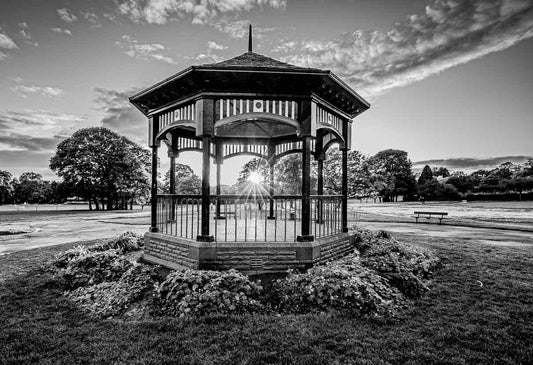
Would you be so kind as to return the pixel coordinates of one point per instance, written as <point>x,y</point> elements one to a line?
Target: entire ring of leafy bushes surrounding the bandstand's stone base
<point>377,279</point>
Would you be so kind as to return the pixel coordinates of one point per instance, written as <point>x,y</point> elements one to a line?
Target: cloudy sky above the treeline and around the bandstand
<point>449,81</point>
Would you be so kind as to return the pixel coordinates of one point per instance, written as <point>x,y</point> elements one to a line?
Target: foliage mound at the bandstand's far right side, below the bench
<point>405,266</point>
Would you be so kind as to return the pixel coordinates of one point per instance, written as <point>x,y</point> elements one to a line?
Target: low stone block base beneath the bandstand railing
<point>247,257</point>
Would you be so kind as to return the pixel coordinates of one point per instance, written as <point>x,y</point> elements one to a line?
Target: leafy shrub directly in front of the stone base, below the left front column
<point>198,292</point>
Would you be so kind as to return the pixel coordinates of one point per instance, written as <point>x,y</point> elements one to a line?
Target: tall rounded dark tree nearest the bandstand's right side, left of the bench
<point>391,173</point>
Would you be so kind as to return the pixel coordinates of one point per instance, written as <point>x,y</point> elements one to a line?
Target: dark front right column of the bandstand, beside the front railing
<point>306,191</point>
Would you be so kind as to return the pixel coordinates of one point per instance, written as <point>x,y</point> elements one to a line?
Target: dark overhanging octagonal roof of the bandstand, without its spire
<point>250,73</point>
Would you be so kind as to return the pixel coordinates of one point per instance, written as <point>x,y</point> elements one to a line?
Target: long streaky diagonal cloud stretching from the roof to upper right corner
<point>450,33</point>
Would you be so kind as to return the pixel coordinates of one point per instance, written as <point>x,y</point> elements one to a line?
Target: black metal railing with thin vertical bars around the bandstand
<point>250,218</point>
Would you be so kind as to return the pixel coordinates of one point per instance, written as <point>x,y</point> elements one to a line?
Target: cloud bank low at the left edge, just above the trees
<point>35,130</point>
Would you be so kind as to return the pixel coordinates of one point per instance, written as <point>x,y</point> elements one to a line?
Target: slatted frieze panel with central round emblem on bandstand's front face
<point>228,107</point>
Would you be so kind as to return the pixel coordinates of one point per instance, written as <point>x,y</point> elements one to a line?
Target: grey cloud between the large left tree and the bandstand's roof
<point>120,115</point>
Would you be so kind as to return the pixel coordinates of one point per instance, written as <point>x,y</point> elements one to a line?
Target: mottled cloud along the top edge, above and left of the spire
<point>201,12</point>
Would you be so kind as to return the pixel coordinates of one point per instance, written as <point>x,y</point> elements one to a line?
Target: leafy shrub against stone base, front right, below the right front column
<point>344,286</point>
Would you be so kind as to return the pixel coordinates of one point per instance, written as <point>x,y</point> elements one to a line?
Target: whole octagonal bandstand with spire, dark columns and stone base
<point>249,105</point>
